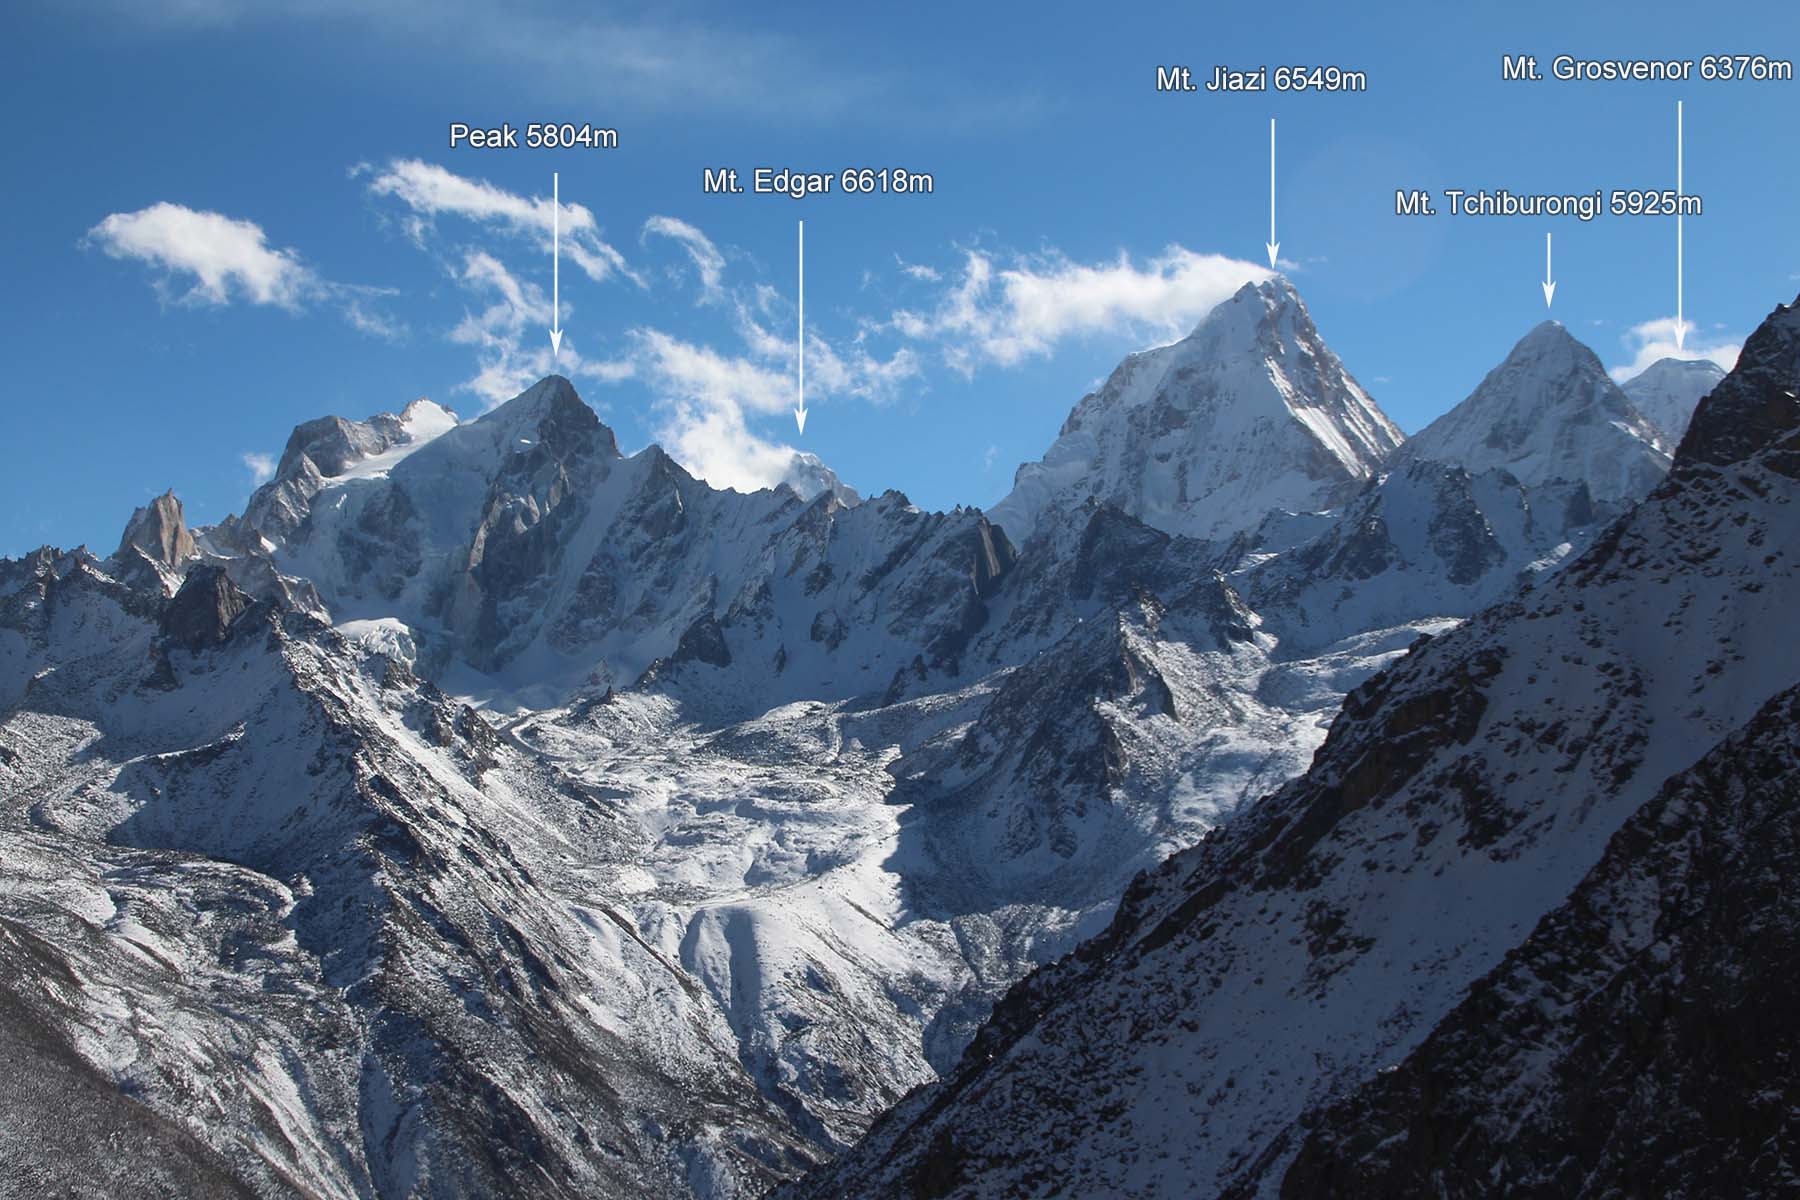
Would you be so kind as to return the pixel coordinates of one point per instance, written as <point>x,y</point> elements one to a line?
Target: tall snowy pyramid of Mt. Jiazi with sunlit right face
<point>1246,416</point>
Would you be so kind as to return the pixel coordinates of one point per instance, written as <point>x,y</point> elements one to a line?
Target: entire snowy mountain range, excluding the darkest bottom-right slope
<point>489,812</point>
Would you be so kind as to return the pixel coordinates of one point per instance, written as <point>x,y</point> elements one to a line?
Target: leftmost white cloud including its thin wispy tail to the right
<point>213,260</point>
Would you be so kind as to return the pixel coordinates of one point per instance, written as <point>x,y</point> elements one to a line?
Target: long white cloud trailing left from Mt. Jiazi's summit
<point>1009,314</point>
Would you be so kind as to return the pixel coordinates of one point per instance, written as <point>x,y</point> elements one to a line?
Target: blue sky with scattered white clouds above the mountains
<point>222,222</point>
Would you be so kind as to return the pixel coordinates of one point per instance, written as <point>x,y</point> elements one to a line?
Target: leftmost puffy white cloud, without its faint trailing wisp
<point>226,258</point>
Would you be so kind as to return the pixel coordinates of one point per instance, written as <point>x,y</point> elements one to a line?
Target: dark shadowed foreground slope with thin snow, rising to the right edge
<point>1522,929</point>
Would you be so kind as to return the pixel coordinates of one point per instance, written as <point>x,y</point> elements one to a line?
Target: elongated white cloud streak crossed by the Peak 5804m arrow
<point>431,192</point>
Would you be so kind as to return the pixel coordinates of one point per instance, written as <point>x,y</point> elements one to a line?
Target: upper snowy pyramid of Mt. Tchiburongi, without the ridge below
<point>1547,413</point>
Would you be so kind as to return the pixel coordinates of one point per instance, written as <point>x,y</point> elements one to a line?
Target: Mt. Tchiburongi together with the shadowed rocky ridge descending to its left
<point>1504,487</point>
